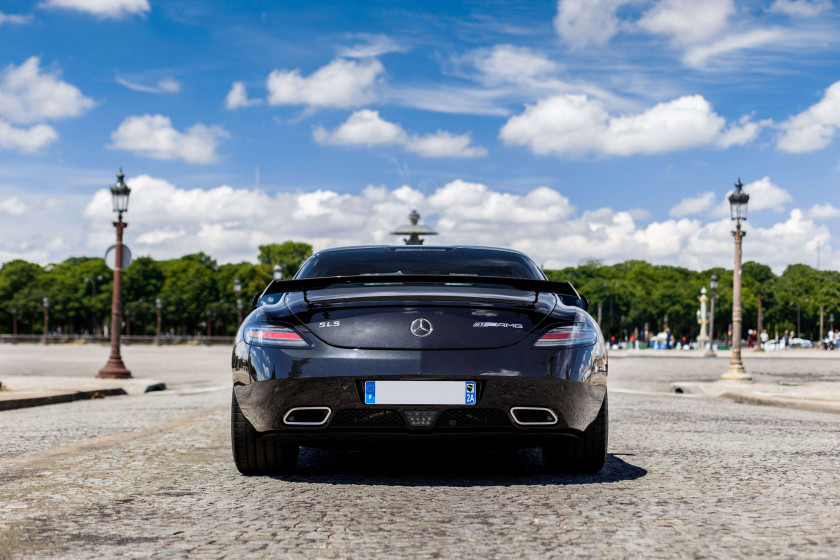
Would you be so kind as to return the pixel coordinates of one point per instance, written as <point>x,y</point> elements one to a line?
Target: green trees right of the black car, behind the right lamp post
<point>634,294</point>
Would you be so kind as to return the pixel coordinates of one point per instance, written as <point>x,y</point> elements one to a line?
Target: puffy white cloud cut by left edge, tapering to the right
<point>29,95</point>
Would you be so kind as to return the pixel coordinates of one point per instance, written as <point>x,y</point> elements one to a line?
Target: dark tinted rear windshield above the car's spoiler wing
<point>398,260</point>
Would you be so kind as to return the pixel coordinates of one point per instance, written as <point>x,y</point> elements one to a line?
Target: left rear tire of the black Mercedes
<point>254,454</point>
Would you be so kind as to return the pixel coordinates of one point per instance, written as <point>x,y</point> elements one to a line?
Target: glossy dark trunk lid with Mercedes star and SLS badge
<point>426,317</point>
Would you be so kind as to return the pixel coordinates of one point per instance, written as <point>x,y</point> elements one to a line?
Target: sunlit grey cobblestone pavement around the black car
<point>151,477</point>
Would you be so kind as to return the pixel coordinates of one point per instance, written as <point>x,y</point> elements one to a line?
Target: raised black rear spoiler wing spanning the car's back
<point>565,290</point>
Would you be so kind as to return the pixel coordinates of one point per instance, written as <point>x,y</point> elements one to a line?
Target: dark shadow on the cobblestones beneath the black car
<point>437,467</point>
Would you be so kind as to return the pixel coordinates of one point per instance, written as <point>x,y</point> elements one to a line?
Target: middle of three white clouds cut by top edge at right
<point>688,21</point>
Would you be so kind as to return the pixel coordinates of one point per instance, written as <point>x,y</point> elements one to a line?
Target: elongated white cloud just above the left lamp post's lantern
<point>154,136</point>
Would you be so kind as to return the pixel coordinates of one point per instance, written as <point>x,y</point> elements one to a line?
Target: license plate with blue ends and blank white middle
<point>420,392</point>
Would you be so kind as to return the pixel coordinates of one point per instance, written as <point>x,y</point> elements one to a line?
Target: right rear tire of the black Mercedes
<point>583,455</point>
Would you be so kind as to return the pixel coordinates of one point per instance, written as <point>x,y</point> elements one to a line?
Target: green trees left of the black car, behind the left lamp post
<point>194,290</point>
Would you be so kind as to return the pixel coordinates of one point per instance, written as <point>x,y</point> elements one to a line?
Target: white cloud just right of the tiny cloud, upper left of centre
<point>342,84</point>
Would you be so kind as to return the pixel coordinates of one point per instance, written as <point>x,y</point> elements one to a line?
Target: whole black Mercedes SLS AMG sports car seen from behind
<point>385,345</point>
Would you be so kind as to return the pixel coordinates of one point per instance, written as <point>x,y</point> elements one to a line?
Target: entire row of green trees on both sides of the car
<point>195,290</point>
